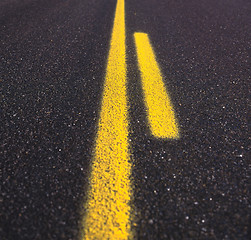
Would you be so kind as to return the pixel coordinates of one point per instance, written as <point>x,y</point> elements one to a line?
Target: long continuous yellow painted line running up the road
<point>108,209</point>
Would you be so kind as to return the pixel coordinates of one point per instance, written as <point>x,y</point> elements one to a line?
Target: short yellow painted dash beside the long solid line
<point>160,112</point>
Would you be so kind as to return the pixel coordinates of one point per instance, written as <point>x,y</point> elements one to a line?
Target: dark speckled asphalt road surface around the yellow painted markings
<point>53,56</point>
